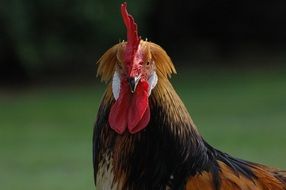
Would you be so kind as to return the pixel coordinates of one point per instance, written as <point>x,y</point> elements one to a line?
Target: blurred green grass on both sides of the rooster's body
<point>45,133</point>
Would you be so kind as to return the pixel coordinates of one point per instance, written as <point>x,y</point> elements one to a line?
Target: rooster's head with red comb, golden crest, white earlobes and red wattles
<point>133,67</point>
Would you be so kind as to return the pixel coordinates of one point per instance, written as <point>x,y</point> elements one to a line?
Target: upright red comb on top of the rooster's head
<point>132,34</point>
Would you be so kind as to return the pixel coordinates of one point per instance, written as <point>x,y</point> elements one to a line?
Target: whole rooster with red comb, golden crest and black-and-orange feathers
<point>144,137</point>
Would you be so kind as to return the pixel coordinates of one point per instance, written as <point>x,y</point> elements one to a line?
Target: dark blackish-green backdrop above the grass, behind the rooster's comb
<point>45,40</point>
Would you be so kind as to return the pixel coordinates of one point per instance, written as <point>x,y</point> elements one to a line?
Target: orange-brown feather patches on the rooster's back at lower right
<point>266,179</point>
